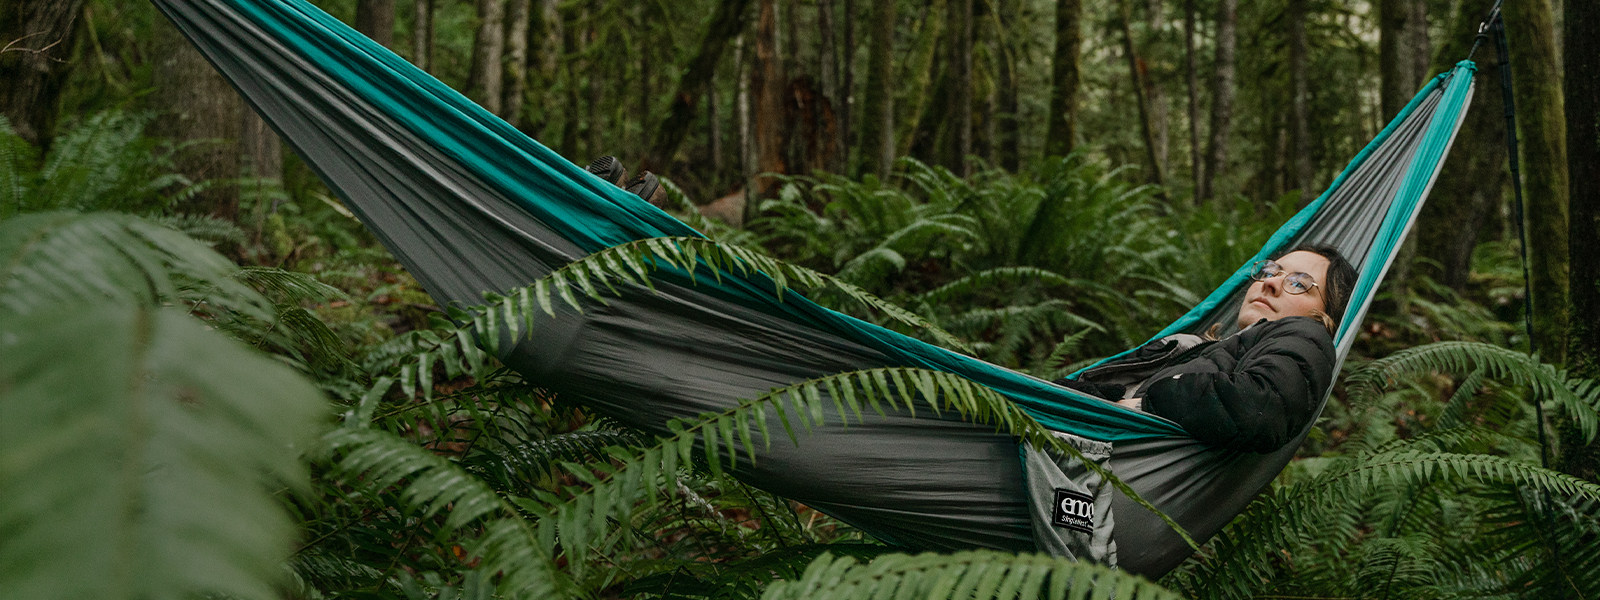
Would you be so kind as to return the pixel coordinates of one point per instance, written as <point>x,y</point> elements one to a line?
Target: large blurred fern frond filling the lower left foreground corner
<point>135,447</point>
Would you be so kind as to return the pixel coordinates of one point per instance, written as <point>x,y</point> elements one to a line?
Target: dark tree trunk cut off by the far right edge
<point>1582,63</point>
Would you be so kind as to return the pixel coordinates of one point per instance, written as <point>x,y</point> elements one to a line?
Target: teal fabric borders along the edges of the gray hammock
<point>596,215</point>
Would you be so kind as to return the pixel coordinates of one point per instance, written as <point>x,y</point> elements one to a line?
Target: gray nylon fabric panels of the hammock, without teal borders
<point>652,356</point>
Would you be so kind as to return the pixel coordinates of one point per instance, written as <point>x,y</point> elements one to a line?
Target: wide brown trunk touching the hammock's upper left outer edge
<point>198,106</point>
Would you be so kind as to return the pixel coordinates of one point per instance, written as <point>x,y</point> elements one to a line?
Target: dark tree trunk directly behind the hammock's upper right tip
<point>1470,185</point>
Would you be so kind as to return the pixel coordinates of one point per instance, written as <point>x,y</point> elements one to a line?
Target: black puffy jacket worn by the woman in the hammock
<point>1252,391</point>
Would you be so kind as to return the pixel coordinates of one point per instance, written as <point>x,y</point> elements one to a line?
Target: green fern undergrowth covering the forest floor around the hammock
<point>271,407</point>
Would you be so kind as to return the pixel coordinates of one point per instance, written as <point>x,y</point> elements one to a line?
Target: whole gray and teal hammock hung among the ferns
<point>471,206</point>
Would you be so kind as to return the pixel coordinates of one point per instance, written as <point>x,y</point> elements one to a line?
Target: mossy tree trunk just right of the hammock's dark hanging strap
<point>1542,127</point>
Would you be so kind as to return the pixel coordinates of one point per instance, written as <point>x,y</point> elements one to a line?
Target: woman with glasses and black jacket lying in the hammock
<point>1258,388</point>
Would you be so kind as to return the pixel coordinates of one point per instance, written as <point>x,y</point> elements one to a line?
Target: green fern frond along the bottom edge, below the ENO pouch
<point>964,575</point>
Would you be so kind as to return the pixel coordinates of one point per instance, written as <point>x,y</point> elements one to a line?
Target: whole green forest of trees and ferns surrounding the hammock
<point>1047,182</point>
